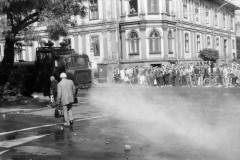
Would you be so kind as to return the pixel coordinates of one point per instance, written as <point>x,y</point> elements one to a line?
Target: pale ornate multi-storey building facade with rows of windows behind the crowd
<point>149,32</point>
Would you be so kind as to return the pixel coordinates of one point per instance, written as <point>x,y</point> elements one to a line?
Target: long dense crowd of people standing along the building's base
<point>184,74</point>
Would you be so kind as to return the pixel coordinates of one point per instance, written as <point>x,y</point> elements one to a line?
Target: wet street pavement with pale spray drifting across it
<point>119,122</point>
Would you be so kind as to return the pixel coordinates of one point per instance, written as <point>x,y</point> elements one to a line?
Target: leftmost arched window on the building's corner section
<point>133,43</point>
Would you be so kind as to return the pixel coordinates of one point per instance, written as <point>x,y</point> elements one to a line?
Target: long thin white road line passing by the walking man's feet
<point>31,128</point>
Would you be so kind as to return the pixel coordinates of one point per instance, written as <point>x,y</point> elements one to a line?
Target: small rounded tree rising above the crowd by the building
<point>209,54</point>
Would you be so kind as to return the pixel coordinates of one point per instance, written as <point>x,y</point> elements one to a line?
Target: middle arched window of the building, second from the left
<point>154,42</point>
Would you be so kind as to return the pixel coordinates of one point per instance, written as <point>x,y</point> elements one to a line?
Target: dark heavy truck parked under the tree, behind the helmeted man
<point>52,61</point>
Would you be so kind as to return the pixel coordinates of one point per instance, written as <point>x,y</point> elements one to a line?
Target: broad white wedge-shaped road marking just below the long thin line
<point>16,142</point>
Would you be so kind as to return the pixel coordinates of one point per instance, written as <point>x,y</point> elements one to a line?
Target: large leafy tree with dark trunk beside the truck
<point>20,15</point>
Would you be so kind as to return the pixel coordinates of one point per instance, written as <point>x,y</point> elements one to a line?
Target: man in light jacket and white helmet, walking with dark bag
<point>66,91</point>
